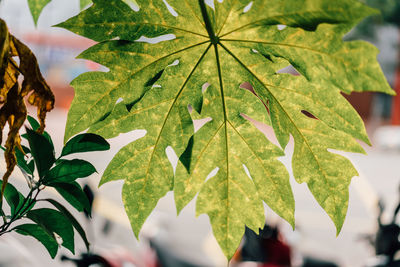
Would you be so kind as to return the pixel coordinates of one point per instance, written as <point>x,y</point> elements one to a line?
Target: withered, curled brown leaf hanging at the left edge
<point>13,110</point>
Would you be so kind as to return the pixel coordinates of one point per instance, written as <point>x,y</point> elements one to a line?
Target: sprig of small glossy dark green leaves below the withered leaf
<point>61,174</point>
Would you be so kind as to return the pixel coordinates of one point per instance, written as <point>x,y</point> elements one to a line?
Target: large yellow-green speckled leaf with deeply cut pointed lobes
<point>198,71</point>
